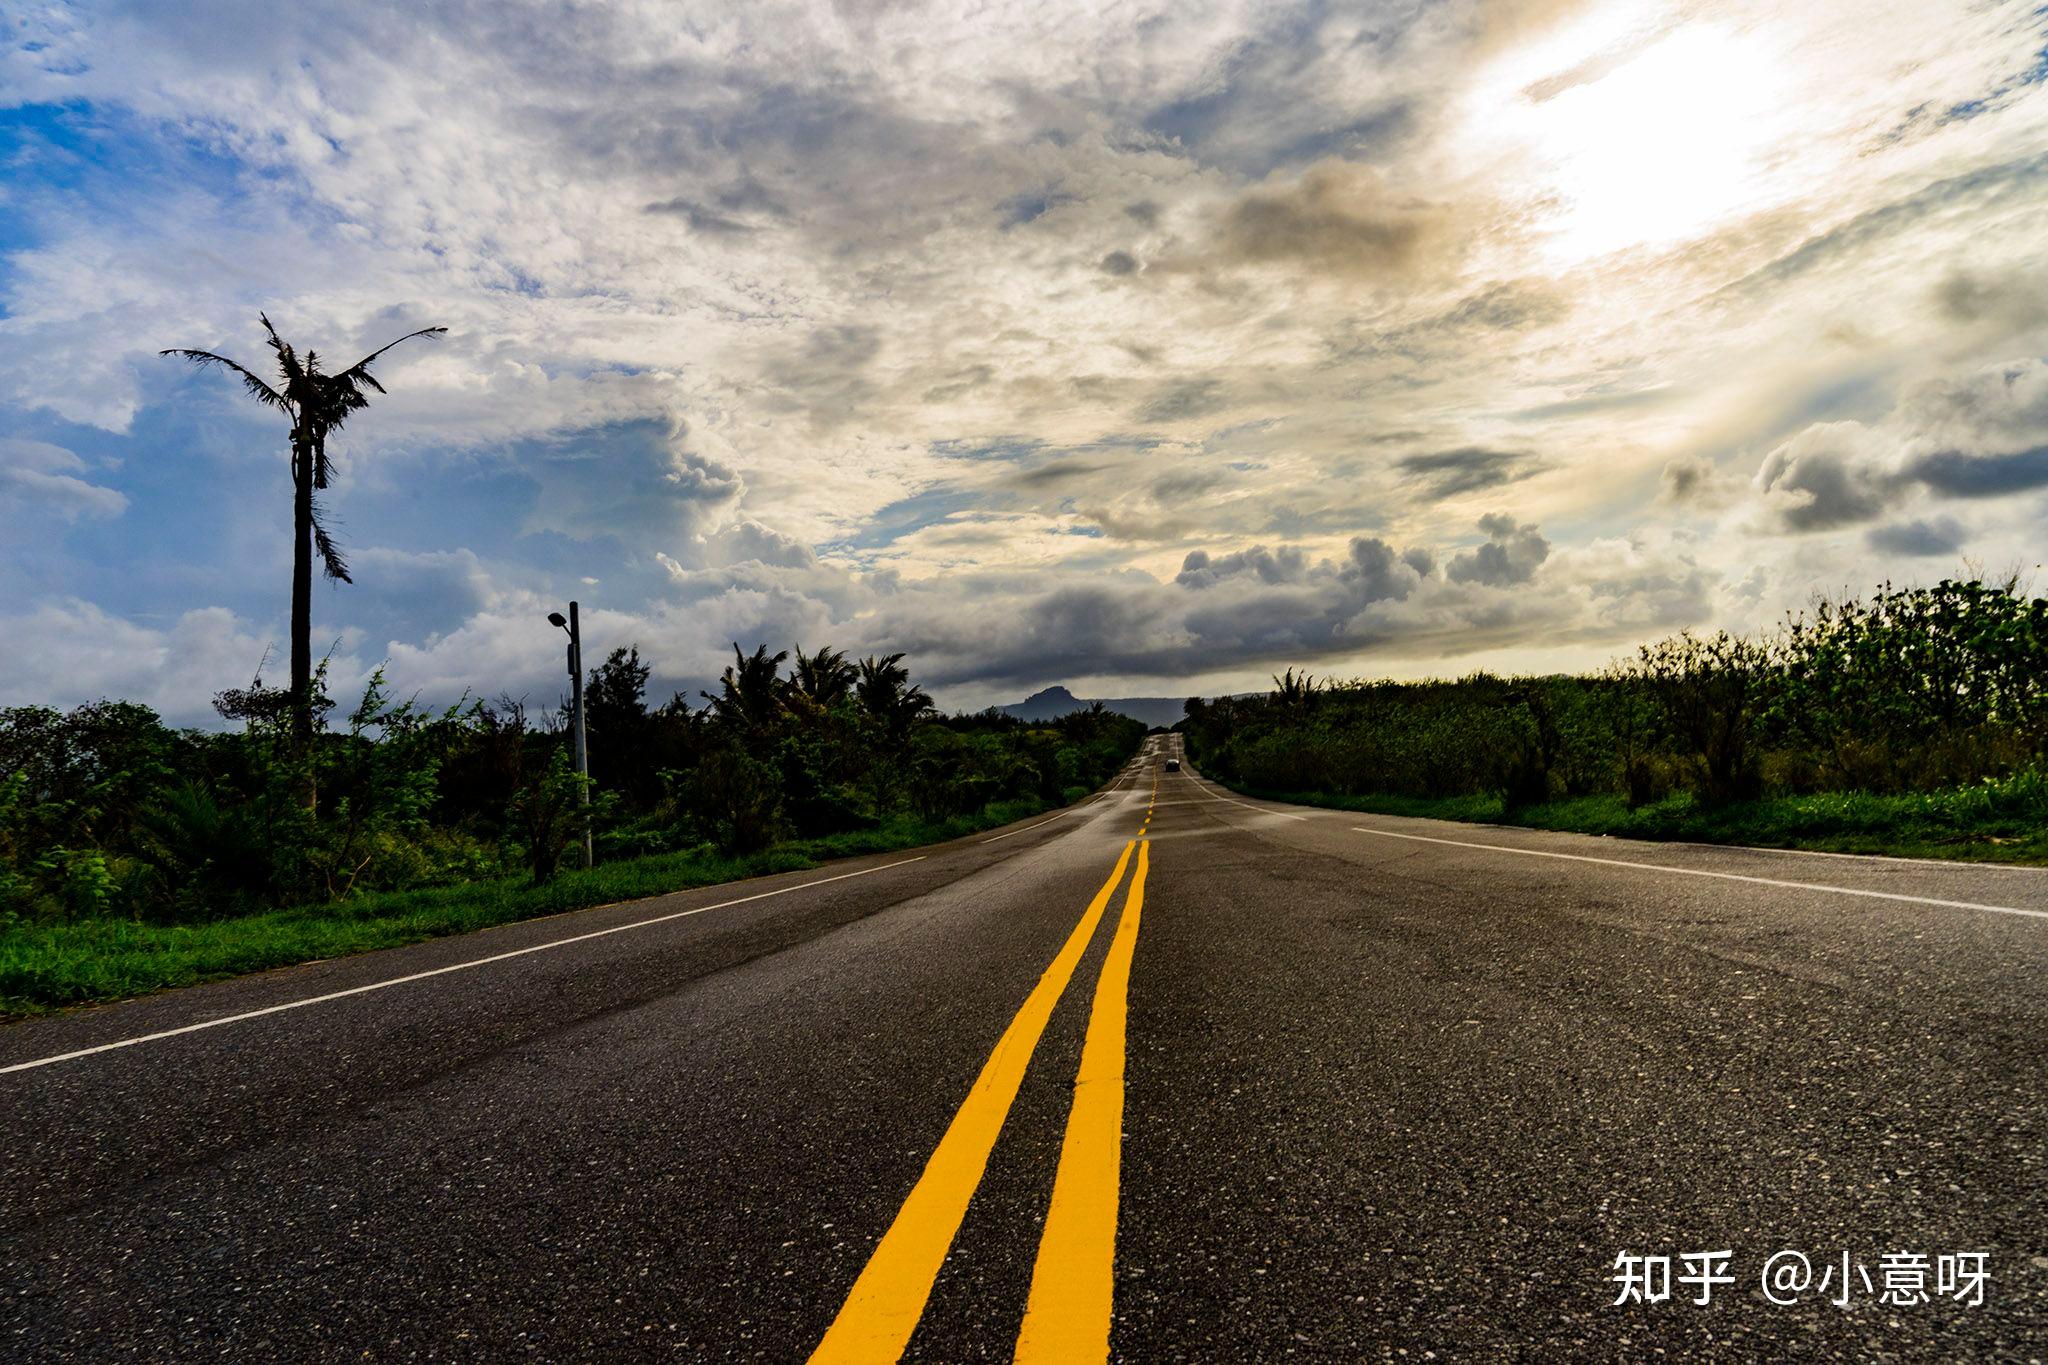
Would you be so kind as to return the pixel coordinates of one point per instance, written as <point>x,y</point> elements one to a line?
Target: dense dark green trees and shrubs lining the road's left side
<point>108,811</point>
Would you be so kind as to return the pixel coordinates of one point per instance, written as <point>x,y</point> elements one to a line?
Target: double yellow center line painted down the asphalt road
<point>1068,1315</point>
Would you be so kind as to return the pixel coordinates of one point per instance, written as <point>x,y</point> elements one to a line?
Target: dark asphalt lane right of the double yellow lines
<point>1471,1080</point>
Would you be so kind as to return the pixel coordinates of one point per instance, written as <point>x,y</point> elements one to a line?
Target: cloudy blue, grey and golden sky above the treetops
<point>1144,347</point>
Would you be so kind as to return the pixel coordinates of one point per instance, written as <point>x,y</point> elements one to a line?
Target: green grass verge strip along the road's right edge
<point>1996,822</point>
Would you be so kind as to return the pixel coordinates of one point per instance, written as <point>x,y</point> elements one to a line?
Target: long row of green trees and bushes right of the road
<point>1906,691</point>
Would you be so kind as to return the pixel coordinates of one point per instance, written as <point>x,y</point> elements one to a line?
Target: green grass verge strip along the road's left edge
<point>50,967</point>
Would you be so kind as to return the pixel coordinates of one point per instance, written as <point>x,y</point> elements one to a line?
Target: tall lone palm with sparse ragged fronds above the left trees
<point>316,406</point>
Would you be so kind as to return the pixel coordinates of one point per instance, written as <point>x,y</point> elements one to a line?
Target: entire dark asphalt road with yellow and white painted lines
<point>1170,1077</point>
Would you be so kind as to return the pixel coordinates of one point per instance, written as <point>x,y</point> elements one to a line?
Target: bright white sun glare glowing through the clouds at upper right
<point>1658,148</point>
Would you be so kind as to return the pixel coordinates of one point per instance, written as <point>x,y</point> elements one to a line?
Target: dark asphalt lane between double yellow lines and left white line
<point>699,1129</point>
